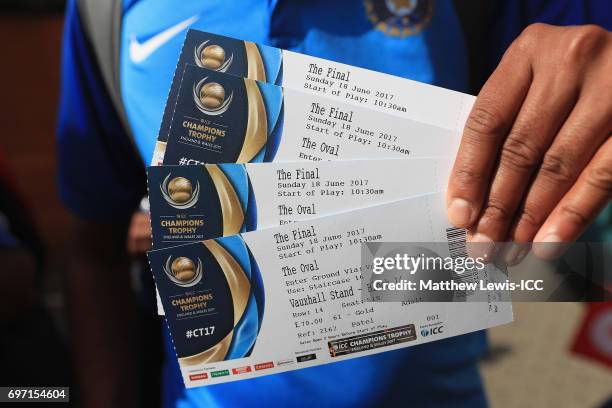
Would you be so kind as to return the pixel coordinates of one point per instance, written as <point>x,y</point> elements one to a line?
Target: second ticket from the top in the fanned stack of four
<point>220,118</point>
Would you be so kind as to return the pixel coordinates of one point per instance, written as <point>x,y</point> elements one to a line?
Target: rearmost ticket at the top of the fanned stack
<point>345,83</point>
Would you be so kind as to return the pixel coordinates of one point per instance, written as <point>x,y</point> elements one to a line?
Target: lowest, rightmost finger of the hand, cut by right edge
<point>580,206</point>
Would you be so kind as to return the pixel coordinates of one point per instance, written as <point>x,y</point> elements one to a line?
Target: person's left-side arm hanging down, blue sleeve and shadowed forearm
<point>101,181</point>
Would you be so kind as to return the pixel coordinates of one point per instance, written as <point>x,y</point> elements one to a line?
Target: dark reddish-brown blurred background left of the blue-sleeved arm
<point>33,349</point>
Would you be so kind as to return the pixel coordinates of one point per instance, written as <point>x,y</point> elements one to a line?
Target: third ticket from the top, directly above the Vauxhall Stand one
<point>193,203</point>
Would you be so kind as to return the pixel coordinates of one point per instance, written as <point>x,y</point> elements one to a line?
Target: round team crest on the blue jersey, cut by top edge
<point>399,18</point>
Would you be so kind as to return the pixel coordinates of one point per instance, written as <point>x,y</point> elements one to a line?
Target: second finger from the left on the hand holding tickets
<point>544,110</point>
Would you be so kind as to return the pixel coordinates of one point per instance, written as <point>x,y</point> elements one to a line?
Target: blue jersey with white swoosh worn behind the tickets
<point>102,169</point>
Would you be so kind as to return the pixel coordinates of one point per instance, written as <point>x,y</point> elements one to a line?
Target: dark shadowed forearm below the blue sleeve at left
<point>101,313</point>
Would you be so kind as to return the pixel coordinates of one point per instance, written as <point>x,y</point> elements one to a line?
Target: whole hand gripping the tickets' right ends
<point>535,160</point>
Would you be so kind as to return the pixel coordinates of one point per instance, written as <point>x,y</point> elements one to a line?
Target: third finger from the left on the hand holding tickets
<point>582,134</point>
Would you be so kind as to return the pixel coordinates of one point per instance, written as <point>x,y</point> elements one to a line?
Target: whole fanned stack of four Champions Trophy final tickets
<point>274,174</point>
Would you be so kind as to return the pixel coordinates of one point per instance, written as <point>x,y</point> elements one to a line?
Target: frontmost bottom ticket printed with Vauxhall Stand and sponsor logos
<point>291,296</point>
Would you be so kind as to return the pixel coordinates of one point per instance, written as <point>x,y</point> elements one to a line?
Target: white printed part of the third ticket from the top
<point>290,192</point>
